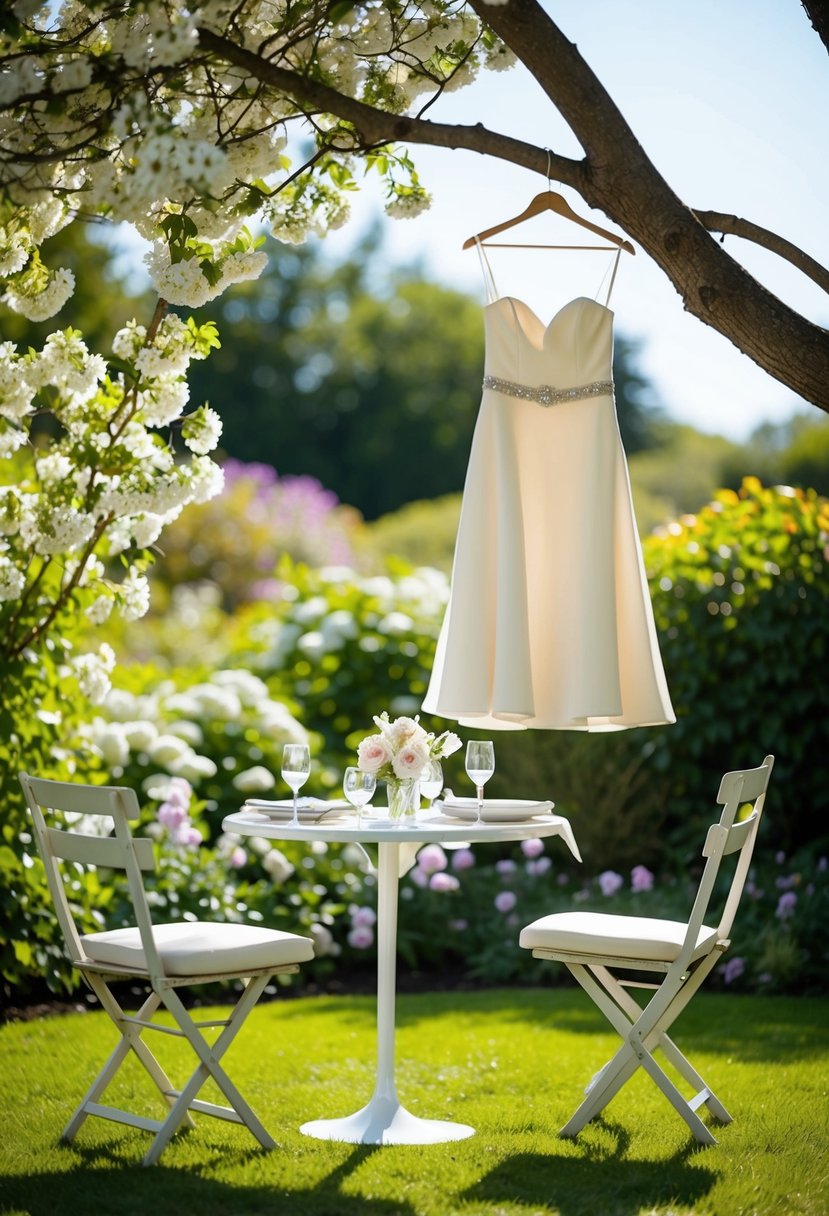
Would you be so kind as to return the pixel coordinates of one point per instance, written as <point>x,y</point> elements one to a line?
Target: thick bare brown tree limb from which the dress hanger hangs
<point>616,177</point>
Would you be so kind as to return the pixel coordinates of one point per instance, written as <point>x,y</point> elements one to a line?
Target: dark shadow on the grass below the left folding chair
<point>129,1190</point>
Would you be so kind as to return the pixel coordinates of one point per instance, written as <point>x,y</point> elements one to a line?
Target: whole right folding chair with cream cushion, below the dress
<point>594,945</point>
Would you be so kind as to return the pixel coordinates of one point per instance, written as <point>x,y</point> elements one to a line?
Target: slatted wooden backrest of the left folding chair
<point>66,817</point>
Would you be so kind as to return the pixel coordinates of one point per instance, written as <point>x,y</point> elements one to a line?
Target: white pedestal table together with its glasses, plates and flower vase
<point>408,759</point>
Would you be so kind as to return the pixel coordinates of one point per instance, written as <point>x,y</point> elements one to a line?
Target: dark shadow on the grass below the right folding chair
<point>601,1180</point>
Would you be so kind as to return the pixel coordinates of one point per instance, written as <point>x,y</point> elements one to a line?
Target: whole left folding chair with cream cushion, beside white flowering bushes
<point>166,958</point>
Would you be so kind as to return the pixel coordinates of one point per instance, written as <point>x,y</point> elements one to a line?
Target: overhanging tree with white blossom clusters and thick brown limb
<point>176,116</point>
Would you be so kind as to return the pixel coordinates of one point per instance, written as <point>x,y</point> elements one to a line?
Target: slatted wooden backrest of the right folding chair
<point>746,787</point>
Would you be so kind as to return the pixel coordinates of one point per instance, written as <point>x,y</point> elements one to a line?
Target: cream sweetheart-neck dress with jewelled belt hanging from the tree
<point>550,623</point>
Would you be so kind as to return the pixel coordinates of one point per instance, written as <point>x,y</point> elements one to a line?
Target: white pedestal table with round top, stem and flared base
<point>385,1121</point>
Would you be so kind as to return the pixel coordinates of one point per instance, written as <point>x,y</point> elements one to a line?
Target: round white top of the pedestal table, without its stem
<point>375,827</point>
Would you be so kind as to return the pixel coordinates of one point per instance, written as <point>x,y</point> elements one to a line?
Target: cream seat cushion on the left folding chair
<point>200,948</point>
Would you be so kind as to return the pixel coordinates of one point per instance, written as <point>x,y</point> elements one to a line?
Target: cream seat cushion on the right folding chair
<point>618,937</point>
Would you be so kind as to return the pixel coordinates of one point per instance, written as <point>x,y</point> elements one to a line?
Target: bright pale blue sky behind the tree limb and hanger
<point>729,99</point>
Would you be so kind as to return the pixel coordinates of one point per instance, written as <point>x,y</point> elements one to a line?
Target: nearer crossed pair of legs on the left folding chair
<point>210,1066</point>
